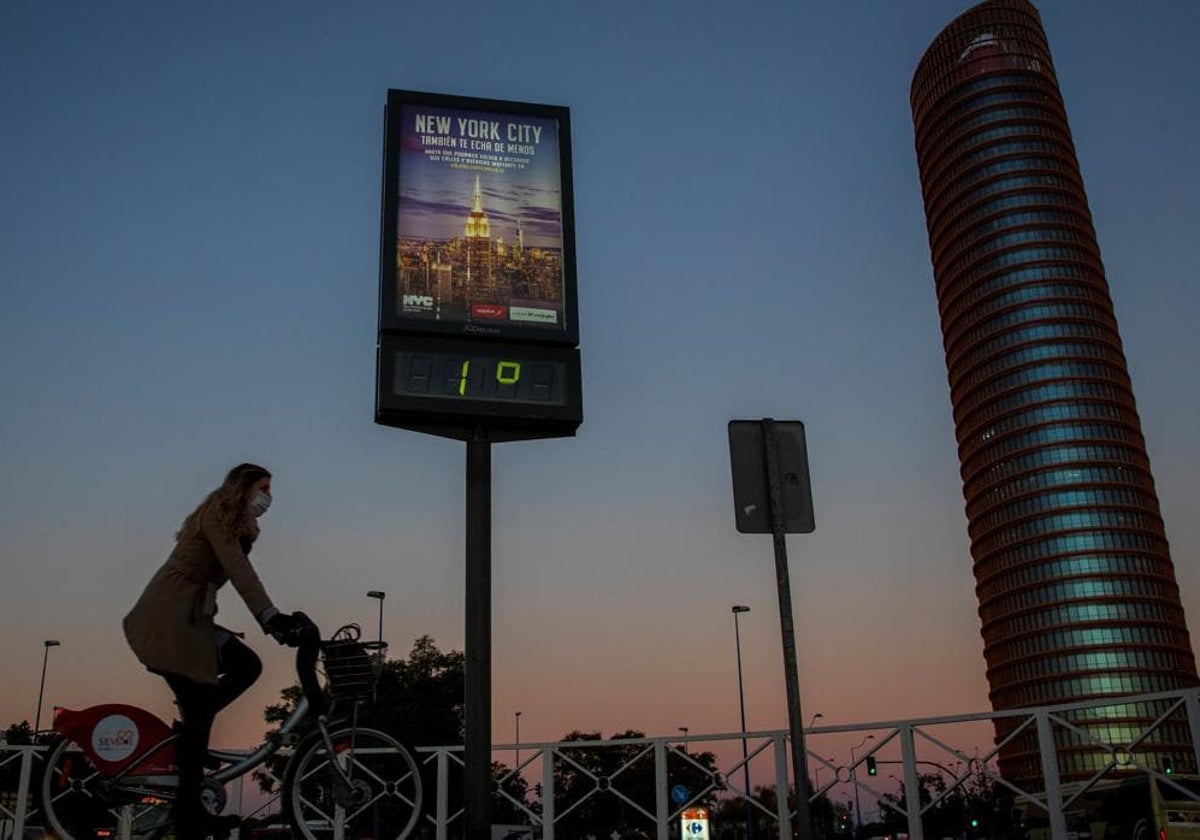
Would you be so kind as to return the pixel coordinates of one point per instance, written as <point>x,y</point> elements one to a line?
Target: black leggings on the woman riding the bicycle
<point>199,706</point>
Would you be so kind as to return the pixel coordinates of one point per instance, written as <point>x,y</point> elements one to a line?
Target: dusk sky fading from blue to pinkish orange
<point>189,229</point>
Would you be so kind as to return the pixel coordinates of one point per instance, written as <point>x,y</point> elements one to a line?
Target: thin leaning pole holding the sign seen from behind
<point>795,718</point>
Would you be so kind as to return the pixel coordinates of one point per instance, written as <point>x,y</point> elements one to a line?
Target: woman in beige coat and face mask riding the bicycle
<point>173,633</point>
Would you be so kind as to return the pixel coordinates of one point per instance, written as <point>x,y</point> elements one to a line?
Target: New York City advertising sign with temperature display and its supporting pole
<point>478,321</point>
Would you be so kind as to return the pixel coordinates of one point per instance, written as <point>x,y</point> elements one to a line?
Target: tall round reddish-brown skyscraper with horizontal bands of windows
<point>1077,591</point>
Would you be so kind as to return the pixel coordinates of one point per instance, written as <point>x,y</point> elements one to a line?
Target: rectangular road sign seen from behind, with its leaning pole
<point>771,465</point>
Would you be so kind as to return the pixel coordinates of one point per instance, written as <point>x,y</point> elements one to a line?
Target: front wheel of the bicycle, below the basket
<point>369,788</point>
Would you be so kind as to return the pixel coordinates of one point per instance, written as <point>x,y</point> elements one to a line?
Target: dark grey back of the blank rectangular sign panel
<point>752,491</point>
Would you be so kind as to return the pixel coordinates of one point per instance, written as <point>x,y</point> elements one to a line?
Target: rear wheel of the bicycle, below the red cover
<point>80,802</point>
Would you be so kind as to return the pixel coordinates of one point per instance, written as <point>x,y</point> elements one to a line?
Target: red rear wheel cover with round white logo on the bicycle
<point>115,735</point>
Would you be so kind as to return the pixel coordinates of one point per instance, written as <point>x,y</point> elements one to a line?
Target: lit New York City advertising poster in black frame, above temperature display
<point>478,212</point>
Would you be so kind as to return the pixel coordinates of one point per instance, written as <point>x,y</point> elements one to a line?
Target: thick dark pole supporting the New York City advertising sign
<point>478,649</point>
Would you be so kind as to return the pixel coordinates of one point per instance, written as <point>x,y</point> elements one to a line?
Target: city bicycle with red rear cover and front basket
<point>115,767</point>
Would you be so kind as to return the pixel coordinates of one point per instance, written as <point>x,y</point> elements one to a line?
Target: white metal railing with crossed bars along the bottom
<point>909,745</point>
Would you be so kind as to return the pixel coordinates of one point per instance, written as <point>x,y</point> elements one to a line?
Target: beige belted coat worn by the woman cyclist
<point>171,628</point>
